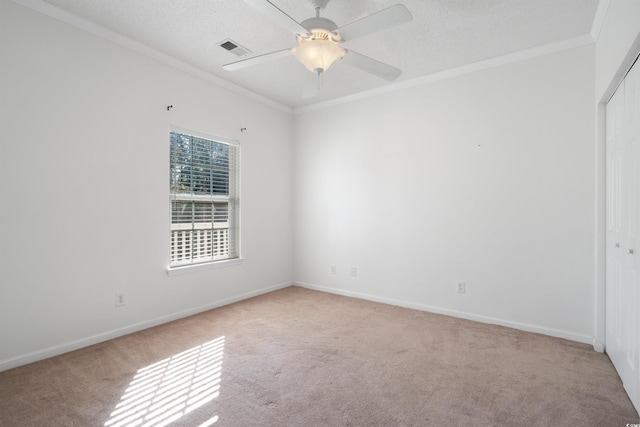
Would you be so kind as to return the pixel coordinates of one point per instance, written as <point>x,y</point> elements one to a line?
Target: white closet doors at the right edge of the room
<point>623,228</point>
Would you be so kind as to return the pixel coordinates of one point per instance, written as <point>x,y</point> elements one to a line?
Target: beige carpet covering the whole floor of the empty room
<point>296,357</point>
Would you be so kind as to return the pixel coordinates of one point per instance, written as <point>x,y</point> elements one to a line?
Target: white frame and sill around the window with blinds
<point>233,198</point>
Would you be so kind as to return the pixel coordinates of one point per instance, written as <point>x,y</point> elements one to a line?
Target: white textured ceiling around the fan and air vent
<point>443,34</point>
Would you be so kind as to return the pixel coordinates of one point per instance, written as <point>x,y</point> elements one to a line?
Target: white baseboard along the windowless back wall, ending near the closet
<point>469,316</point>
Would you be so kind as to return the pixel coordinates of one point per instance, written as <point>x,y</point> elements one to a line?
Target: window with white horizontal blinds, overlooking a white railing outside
<point>204,199</point>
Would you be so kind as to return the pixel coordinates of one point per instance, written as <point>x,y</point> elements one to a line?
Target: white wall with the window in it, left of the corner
<point>84,183</point>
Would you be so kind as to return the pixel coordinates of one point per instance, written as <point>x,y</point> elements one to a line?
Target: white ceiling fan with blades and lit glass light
<point>318,39</point>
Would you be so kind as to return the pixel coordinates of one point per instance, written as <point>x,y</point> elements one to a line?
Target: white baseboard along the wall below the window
<point>95,339</point>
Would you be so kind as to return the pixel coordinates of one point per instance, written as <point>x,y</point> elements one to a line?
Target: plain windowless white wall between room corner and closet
<point>487,178</point>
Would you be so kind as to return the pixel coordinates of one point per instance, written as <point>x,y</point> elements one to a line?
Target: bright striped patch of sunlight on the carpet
<point>164,392</point>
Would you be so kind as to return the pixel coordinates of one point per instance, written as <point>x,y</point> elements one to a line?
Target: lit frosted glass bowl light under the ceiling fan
<point>318,52</point>
